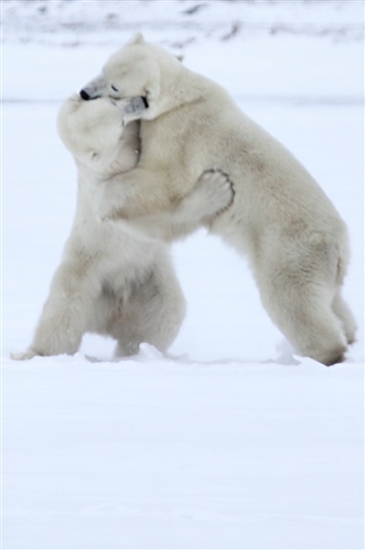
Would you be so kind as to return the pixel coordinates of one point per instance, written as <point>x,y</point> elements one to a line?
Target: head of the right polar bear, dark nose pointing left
<point>138,70</point>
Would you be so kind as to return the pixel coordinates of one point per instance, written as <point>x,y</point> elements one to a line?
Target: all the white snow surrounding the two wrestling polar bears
<point>228,441</point>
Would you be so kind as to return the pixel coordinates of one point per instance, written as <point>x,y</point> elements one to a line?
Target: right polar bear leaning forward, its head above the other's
<point>295,240</point>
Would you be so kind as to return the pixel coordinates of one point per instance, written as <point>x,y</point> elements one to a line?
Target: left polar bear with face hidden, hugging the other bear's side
<point>114,280</point>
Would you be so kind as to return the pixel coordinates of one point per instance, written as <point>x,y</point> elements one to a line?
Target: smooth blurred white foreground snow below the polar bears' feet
<point>163,454</point>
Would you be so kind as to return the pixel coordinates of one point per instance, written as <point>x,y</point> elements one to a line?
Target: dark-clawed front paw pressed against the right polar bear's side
<point>217,192</point>
